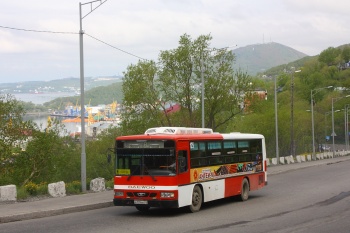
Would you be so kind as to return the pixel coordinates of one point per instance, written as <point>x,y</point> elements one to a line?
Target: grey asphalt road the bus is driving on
<point>313,199</point>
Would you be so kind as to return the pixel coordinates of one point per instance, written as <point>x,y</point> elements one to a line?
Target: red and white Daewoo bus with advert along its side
<point>172,167</point>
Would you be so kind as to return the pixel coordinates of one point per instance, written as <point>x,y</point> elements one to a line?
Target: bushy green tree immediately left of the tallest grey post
<point>46,157</point>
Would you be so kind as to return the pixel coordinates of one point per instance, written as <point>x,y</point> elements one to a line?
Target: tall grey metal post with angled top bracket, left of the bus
<point>82,105</point>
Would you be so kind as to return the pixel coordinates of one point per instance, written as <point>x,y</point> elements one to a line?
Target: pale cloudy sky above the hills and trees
<point>39,39</point>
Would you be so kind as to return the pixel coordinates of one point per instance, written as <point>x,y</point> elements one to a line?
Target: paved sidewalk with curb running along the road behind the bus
<point>17,211</point>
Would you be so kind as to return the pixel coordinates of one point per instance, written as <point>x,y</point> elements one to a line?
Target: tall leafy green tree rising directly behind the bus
<point>150,89</point>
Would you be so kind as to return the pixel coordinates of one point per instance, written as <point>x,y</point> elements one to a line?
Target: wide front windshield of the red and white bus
<point>145,161</point>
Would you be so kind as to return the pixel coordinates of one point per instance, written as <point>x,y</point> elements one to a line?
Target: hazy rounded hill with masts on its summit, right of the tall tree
<point>258,58</point>
